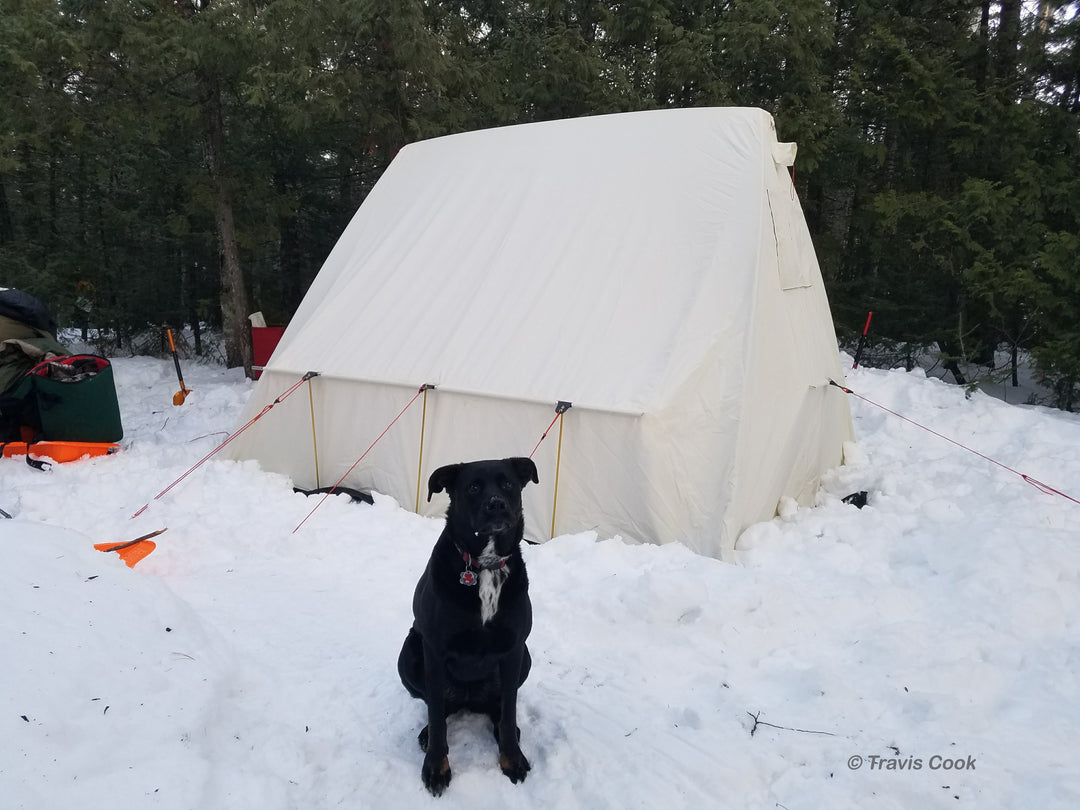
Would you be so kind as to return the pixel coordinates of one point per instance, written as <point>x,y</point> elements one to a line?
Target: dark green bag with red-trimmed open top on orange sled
<point>73,399</point>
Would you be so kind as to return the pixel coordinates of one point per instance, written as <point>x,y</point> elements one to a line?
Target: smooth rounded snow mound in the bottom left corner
<point>113,690</point>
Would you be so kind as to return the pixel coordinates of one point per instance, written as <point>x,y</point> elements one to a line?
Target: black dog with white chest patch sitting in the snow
<point>472,614</point>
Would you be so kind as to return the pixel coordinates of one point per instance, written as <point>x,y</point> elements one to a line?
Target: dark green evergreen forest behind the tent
<point>192,161</point>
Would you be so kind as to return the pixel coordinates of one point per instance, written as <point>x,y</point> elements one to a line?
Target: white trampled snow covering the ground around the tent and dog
<point>244,666</point>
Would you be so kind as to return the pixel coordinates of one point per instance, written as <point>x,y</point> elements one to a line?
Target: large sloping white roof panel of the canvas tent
<point>597,261</point>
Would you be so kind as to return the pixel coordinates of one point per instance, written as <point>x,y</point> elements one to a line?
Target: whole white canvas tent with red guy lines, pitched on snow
<point>652,268</point>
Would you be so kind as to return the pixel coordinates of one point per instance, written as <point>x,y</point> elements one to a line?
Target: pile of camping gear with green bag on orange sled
<point>52,403</point>
